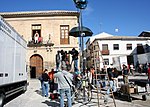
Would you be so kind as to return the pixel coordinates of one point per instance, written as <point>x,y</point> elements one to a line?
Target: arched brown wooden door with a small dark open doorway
<point>36,66</point>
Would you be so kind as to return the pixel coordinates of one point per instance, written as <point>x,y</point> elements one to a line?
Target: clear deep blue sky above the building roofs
<point>129,17</point>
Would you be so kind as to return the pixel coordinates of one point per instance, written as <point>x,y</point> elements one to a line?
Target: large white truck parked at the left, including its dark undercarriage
<point>13,75</point>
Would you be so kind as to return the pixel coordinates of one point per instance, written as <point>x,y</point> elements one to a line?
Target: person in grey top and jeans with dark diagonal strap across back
<point>64,85</point>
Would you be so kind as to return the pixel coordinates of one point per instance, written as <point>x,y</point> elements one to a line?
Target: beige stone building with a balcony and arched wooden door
<point>52,28</point>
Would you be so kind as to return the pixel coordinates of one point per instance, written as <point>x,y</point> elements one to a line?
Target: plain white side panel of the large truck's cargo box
<point>12,67</point>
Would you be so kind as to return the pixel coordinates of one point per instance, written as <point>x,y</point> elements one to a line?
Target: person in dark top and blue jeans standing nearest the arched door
<point>45,84</point>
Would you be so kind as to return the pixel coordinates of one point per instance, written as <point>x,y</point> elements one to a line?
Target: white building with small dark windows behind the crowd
<point>118,50</point>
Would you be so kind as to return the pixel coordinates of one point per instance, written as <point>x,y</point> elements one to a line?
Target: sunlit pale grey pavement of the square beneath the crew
<point>33,98</point>
